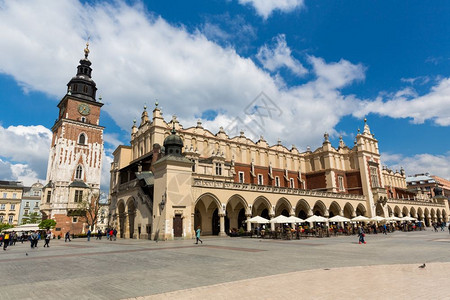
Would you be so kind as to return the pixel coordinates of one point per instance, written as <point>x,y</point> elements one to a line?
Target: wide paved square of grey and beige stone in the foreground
<point>229,268</point>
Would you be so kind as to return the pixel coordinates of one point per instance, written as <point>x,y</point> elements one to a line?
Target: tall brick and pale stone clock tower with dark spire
<point>75,159</point>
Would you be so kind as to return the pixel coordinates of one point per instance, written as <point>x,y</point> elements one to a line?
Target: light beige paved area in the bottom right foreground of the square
<point>371,282</point>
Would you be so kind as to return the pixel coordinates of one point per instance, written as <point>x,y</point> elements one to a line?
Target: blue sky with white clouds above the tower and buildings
<point>325,64</point>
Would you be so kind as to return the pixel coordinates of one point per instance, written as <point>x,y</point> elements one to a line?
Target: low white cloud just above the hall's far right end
<point>420,163</point>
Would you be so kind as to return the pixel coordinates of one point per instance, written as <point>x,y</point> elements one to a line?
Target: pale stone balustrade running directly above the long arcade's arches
<point>271,189</point>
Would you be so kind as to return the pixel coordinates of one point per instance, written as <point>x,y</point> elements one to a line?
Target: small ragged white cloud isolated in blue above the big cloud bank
<point>279,56</point>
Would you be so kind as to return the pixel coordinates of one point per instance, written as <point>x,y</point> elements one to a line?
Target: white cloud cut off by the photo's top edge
<point>264,8</point>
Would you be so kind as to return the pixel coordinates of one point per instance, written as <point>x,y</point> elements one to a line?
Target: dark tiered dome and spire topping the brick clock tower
<point>82,85</point>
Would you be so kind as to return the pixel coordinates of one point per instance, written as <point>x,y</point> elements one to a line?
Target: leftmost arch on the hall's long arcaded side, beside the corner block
<point>207,213</point>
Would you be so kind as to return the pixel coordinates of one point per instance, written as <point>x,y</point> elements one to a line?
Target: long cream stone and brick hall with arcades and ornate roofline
<point>172,180</point>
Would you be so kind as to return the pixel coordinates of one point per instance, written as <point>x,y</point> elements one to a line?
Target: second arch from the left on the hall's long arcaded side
<point>236,211</point>
